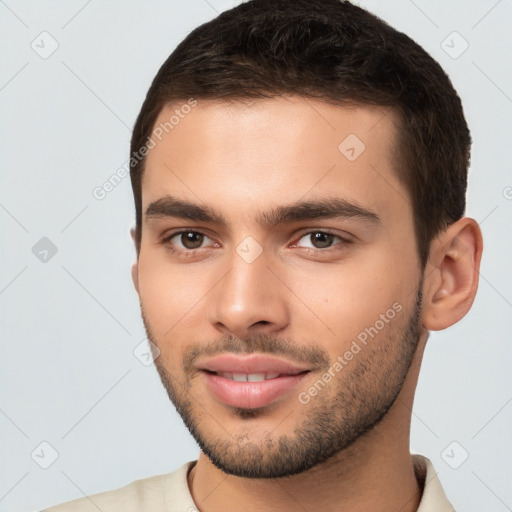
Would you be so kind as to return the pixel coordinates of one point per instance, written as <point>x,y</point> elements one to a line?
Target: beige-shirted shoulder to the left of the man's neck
<point>167,492</point>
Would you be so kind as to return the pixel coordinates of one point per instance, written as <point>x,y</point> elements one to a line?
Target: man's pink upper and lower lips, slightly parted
<point>250,395</point>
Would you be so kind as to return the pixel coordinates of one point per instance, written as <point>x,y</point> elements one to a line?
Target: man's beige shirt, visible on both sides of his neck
<point>170,493</point>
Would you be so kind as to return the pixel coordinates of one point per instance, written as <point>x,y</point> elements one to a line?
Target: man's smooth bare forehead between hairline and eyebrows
<point>232,155</point>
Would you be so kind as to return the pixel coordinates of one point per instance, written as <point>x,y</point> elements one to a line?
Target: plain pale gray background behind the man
<point>70,324</point>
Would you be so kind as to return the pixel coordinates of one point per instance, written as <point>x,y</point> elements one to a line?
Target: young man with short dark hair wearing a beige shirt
<point>299,171</point>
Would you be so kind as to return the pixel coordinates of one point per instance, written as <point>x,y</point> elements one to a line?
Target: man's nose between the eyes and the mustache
<point>249,299</point>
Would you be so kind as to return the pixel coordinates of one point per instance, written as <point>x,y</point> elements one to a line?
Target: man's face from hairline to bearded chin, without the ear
<point>278,276</point>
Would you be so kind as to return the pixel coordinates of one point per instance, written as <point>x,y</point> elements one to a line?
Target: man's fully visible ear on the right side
<point>451,274</point>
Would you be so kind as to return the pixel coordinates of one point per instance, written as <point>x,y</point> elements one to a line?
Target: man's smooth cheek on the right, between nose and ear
<point>338,302</point>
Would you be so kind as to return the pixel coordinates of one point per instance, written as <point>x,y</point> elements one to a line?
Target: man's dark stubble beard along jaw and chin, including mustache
<point>351,405</point>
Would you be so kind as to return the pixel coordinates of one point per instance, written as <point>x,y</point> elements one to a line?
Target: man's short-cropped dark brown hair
<point>334,51</point>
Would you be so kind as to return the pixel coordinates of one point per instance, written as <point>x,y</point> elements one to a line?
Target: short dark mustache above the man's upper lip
<point>259,343</point>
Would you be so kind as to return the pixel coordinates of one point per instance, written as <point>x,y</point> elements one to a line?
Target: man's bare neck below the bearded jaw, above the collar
<point>375,473</point>
